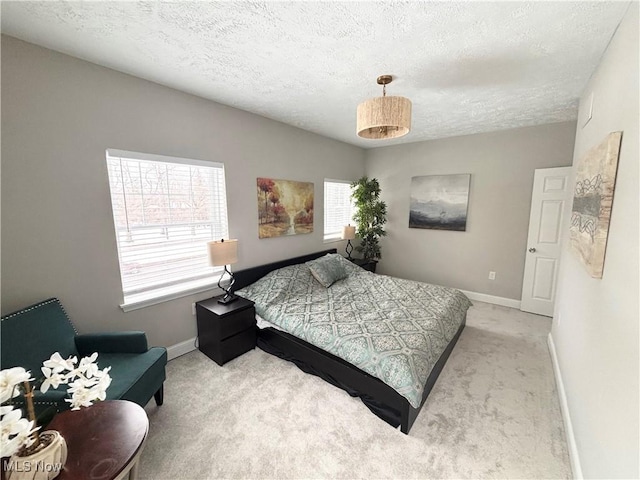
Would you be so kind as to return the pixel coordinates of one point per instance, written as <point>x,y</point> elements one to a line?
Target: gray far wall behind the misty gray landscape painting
<point>501,165</point>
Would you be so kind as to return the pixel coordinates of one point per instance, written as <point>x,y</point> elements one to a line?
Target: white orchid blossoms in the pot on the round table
<point>86,384</point>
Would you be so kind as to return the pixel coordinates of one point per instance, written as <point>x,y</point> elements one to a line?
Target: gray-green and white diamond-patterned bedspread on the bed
<point>391,328</point>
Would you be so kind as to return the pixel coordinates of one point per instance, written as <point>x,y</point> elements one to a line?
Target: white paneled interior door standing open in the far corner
<point>550,194</point>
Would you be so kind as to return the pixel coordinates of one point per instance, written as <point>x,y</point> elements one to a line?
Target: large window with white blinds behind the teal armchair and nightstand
<point>165,210</point>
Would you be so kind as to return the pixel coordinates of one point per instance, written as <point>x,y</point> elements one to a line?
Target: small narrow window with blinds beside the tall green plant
<point>338,208</point>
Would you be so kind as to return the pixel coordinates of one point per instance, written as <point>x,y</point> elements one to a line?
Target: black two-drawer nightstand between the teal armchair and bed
<point>225,331</point>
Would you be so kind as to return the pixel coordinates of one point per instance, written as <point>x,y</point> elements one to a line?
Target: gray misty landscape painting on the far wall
<point>439,202</point>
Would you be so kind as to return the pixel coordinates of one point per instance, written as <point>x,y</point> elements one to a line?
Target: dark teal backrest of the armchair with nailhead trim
<point>29,336</point>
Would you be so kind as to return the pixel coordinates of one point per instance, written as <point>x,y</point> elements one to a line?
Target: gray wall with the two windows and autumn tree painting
<point>59,114</point>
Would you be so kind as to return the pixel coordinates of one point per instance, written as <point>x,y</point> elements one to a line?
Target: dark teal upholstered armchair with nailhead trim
<point>31,335</point>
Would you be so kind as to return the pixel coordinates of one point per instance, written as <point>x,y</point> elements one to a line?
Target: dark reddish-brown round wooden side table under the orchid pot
<point>104,441</point>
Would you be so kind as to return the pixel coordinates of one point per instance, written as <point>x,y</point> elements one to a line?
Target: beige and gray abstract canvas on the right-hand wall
<point>592,201</point>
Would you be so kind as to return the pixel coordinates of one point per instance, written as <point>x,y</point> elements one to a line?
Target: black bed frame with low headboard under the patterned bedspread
<point>380,398</point>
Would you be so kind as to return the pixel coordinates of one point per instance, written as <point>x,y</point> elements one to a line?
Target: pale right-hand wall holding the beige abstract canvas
<point>595,326</point>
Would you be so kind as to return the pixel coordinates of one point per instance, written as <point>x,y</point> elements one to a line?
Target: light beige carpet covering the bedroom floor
<point>493,413</point>
